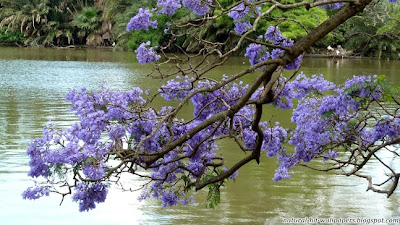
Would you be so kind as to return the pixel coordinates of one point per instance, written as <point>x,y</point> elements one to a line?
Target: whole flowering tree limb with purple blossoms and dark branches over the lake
<point>122,133</point>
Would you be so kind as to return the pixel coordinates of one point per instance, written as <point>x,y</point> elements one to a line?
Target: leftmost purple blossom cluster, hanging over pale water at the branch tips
<point>80,148</point>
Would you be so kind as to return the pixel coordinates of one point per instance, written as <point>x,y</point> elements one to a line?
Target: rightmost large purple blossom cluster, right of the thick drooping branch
<point>330,121</point>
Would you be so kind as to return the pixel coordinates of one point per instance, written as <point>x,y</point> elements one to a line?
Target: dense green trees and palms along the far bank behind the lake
<point>375,32</point>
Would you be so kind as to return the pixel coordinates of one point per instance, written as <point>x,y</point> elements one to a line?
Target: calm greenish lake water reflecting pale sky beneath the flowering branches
<point>33,83</point>
